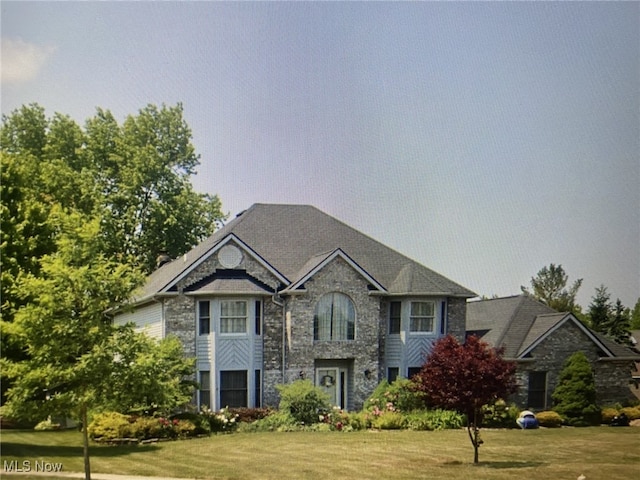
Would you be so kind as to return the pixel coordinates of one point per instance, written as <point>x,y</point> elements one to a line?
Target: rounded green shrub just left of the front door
<point>303,401</point>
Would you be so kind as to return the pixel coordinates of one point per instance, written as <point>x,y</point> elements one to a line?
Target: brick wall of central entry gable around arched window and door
<point>338,276</point>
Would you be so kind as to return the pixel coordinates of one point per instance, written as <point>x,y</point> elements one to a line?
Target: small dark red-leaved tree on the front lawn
<point>464,377</point>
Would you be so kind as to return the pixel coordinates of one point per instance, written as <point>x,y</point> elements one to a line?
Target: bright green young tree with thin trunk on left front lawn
<point>76,360</point>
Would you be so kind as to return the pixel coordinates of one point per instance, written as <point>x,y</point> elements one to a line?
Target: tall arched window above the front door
<point>334,318</point>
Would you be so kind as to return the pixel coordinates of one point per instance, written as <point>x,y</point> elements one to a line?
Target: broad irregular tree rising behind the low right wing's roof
<point>550,287</point>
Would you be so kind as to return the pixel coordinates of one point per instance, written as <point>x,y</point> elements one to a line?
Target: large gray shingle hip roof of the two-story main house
<point>288,237</point>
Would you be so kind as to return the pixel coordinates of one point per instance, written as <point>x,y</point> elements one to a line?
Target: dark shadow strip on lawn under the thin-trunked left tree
<point>11,449</point>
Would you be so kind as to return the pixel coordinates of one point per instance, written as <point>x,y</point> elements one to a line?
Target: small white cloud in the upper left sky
<point>22,61</point>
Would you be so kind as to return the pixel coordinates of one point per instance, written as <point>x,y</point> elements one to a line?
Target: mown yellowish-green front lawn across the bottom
<point>597,452</point>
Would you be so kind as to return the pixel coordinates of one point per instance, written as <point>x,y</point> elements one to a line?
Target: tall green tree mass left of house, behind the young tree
<point>134,178</point>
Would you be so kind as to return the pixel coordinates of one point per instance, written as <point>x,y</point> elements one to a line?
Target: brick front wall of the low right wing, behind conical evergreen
<point>611,377</point>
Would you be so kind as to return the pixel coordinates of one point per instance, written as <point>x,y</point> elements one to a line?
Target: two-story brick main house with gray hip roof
<point>285,292</point>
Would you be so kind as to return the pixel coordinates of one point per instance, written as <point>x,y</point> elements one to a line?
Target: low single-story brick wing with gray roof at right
<point>540,340</point>
